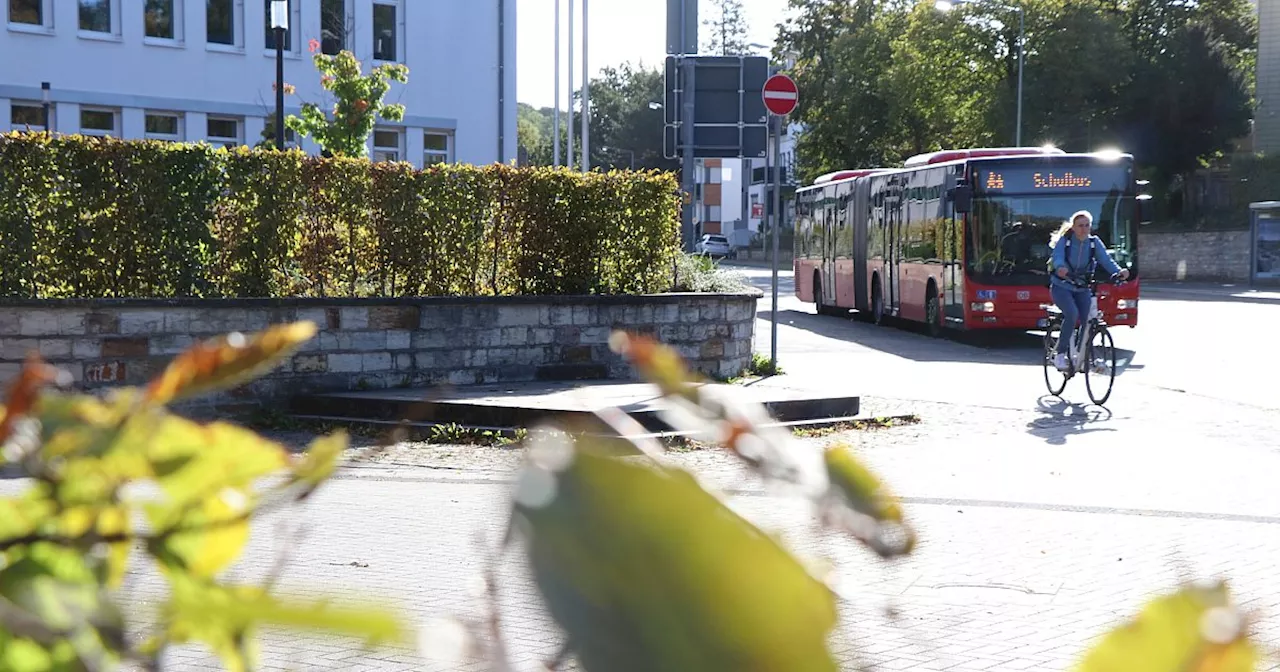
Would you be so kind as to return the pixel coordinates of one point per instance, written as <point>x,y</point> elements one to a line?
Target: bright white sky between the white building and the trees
<point>620,31</point>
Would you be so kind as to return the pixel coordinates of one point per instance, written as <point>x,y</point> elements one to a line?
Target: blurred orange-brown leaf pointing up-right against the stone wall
<point>227,362</point>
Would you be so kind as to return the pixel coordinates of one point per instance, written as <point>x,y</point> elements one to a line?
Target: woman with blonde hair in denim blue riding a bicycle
<point>1075,257</point>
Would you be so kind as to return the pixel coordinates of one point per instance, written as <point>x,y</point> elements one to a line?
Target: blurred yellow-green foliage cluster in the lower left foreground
<point>121,473</point>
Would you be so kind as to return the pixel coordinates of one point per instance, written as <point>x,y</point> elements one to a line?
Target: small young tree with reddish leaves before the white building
<point>359,103</point>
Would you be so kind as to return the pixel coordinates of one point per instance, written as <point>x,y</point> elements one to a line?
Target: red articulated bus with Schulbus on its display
<point>961,239</point>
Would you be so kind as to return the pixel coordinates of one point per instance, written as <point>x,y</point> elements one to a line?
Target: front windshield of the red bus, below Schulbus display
<point>1009,236</point>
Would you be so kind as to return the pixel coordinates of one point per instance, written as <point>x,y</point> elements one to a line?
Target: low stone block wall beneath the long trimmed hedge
<point>382,344</point>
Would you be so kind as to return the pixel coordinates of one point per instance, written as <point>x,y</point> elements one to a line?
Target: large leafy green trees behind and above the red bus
<point>881,80</point>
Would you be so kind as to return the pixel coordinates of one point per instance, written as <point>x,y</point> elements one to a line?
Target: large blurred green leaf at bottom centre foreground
<point>648,572</point>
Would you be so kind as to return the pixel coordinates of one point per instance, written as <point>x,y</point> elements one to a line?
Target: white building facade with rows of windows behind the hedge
<point>205,70</point>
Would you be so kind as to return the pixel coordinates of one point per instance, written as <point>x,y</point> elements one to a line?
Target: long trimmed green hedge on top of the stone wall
<point>84,217</point>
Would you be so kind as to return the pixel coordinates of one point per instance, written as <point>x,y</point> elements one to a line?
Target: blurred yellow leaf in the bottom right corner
<point>1195,629</point>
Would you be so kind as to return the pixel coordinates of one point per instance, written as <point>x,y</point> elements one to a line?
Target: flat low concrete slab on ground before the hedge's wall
<point>523,405</point>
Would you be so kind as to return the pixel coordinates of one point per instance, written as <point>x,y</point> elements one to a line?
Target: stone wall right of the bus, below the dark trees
<point>1195,257</point>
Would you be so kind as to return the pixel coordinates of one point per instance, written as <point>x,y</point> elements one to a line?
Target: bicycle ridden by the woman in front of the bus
<point>1101,355</point>
